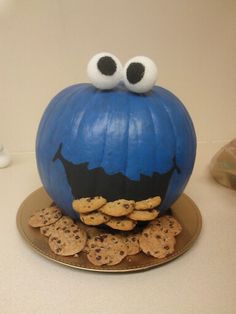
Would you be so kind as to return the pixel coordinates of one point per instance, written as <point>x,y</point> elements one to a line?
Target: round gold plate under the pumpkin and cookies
<point>183,209</point>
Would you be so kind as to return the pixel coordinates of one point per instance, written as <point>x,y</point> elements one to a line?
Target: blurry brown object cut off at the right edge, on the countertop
<point>223,165</point>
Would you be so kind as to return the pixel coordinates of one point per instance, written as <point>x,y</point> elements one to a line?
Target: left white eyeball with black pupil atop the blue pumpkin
<point>104,70</point>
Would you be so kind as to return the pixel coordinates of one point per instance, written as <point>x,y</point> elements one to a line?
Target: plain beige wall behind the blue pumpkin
<point>45,46</point>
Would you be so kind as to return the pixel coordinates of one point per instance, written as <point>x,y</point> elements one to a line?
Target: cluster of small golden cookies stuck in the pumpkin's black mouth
<point>119,215</point>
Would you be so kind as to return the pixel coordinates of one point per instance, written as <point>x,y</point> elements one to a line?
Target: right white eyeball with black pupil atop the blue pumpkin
<point>140,74</point>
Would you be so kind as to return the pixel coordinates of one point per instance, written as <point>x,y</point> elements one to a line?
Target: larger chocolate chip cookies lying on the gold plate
<point>68,238</point>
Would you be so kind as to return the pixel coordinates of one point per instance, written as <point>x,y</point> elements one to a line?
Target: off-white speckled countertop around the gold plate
<point>200,281</point>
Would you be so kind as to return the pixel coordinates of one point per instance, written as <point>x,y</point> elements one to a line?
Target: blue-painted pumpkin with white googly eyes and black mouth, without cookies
<point>106,140</point>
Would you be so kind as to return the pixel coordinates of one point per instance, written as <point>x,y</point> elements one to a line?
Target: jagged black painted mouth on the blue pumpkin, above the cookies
<point>86,182</point>
